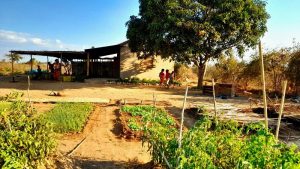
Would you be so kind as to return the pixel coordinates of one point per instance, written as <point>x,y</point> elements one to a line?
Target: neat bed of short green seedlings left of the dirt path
<point>68,117</point>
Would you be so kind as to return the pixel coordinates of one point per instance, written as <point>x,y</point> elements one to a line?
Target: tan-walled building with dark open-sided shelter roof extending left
<point>116,61</point>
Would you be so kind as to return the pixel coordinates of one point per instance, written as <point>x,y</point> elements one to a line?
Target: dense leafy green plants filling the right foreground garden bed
<point>212,143</point>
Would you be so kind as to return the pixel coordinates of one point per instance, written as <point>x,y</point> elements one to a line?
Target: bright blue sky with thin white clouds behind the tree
<point>82,24</point>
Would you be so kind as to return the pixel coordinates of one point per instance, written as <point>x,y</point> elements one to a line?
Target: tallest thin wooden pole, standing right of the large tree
<point>264,85</point>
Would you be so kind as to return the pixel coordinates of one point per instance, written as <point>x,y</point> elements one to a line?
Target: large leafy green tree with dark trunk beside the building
<point>195,31</point>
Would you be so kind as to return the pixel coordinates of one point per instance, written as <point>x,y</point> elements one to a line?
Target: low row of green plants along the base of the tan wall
<point>136,80</point>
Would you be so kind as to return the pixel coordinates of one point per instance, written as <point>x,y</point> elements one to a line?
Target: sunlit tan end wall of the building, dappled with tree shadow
<point>131,66</point>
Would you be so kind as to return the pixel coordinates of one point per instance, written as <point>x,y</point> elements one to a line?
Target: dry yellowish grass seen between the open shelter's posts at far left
<point>19,68</point>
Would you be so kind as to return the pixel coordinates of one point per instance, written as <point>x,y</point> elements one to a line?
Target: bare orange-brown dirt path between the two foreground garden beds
<point>103,148</point>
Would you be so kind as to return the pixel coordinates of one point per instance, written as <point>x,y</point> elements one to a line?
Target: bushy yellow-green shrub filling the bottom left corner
<point>25,141</point>
